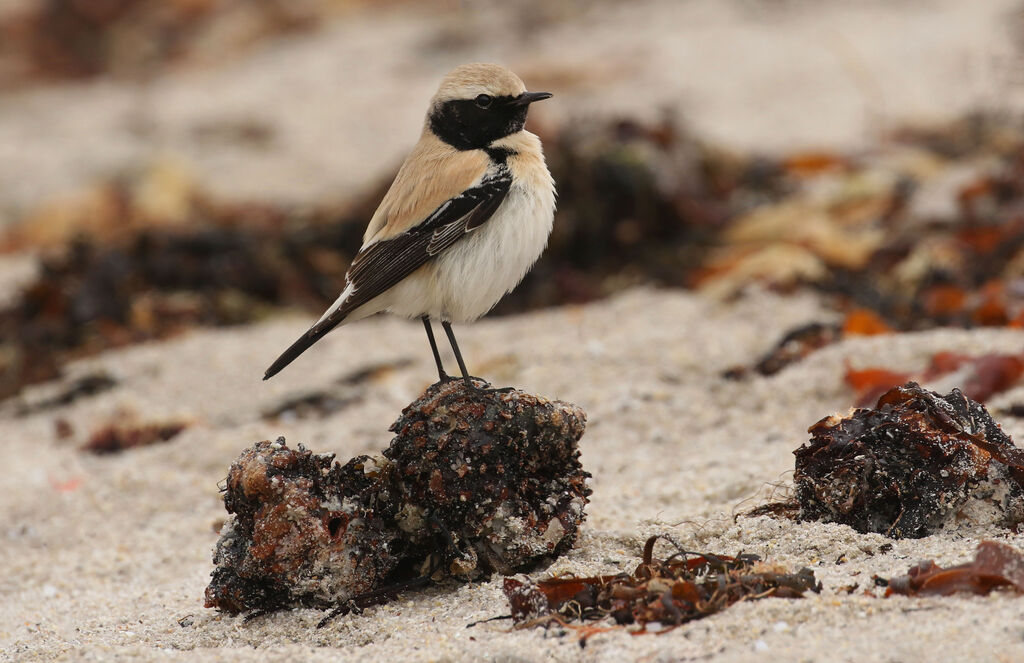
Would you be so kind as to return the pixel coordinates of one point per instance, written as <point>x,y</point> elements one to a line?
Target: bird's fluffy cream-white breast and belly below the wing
<point>473,276</point>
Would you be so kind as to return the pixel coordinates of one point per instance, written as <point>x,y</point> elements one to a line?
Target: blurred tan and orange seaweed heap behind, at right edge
<point>873,250</point>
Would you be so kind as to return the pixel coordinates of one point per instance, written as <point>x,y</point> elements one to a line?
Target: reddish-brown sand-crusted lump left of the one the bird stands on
<point>301,532</point>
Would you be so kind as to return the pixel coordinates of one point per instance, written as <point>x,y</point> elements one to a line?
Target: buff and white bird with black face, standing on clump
<point>465,220</point>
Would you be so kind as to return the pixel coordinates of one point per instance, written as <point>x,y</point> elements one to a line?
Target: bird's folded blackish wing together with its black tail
<point>383,264</point>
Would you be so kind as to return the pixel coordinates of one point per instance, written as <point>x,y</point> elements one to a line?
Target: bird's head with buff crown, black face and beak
<point>480,104</point>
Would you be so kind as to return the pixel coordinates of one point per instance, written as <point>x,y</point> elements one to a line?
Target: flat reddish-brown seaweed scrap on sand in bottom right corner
<point>996,565</point>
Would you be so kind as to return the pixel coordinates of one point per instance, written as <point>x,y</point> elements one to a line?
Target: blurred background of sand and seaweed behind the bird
<point>175,163</point>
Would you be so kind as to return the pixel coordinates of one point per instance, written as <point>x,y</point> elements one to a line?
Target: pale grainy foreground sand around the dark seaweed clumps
<point>107,558</point>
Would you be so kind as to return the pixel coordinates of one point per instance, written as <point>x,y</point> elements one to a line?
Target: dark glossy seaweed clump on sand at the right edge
<point>911,467</point>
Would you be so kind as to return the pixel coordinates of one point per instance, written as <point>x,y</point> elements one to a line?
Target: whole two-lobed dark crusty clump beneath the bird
<point>474,483</point>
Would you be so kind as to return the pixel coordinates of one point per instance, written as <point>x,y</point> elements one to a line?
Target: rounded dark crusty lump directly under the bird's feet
<point>499,474</point>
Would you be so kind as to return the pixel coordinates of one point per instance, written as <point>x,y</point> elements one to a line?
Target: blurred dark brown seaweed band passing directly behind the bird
<point>133,276</point>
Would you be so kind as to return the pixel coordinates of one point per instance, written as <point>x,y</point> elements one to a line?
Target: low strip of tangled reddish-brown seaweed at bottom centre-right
<point>659,596</point>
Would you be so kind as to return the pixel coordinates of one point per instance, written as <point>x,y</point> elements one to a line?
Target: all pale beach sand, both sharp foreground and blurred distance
<point>106,558</point>
